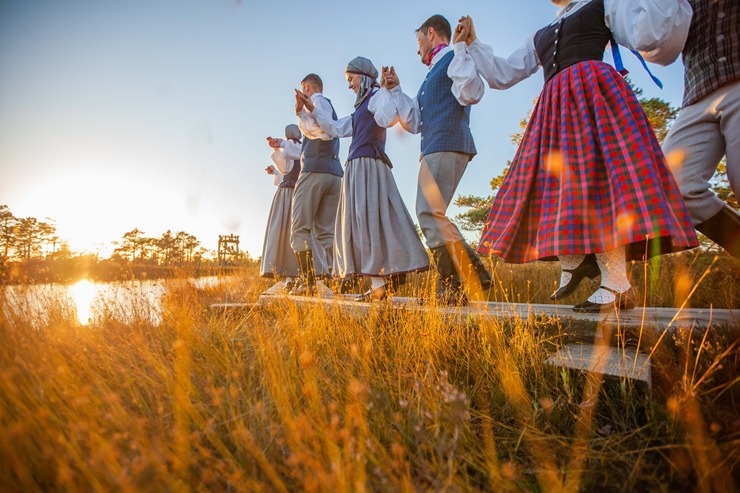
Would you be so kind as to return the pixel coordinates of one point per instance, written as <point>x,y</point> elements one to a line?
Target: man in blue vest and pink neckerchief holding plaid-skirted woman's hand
<point>441,113</point>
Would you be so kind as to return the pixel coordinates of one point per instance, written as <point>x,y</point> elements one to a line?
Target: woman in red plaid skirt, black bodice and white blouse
<point>589,184</point>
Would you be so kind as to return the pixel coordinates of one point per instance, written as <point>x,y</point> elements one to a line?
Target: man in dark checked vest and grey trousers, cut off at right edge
<point>708,125</point>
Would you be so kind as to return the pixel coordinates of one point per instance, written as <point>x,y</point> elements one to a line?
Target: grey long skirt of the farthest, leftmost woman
<point>278,258</point>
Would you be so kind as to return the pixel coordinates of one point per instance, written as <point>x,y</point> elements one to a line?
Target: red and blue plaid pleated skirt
<point>588,177</point>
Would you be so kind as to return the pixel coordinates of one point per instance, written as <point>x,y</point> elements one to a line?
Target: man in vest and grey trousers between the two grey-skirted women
<point>318,187</point>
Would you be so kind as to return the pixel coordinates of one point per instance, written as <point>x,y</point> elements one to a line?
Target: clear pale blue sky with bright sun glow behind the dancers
<point>152,114</point>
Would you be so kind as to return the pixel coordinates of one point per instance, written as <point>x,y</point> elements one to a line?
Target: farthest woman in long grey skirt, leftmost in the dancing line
<point>278,259</point>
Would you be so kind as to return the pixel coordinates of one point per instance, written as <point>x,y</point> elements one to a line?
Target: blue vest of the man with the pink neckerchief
<point>445,123</point>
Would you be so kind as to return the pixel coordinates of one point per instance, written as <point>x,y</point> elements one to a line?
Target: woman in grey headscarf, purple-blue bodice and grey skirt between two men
<point>374,234</point>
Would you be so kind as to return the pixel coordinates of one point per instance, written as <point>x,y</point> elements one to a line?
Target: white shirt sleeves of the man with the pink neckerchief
<point>467,87</point>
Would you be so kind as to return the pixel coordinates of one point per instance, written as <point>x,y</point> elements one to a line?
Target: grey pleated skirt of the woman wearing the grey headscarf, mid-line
<point>374,234</point>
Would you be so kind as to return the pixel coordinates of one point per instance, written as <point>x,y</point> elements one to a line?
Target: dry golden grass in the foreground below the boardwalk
<point>291,399</point>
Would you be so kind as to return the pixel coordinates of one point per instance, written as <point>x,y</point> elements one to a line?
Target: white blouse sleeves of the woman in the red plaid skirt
<point>654,26</point>
